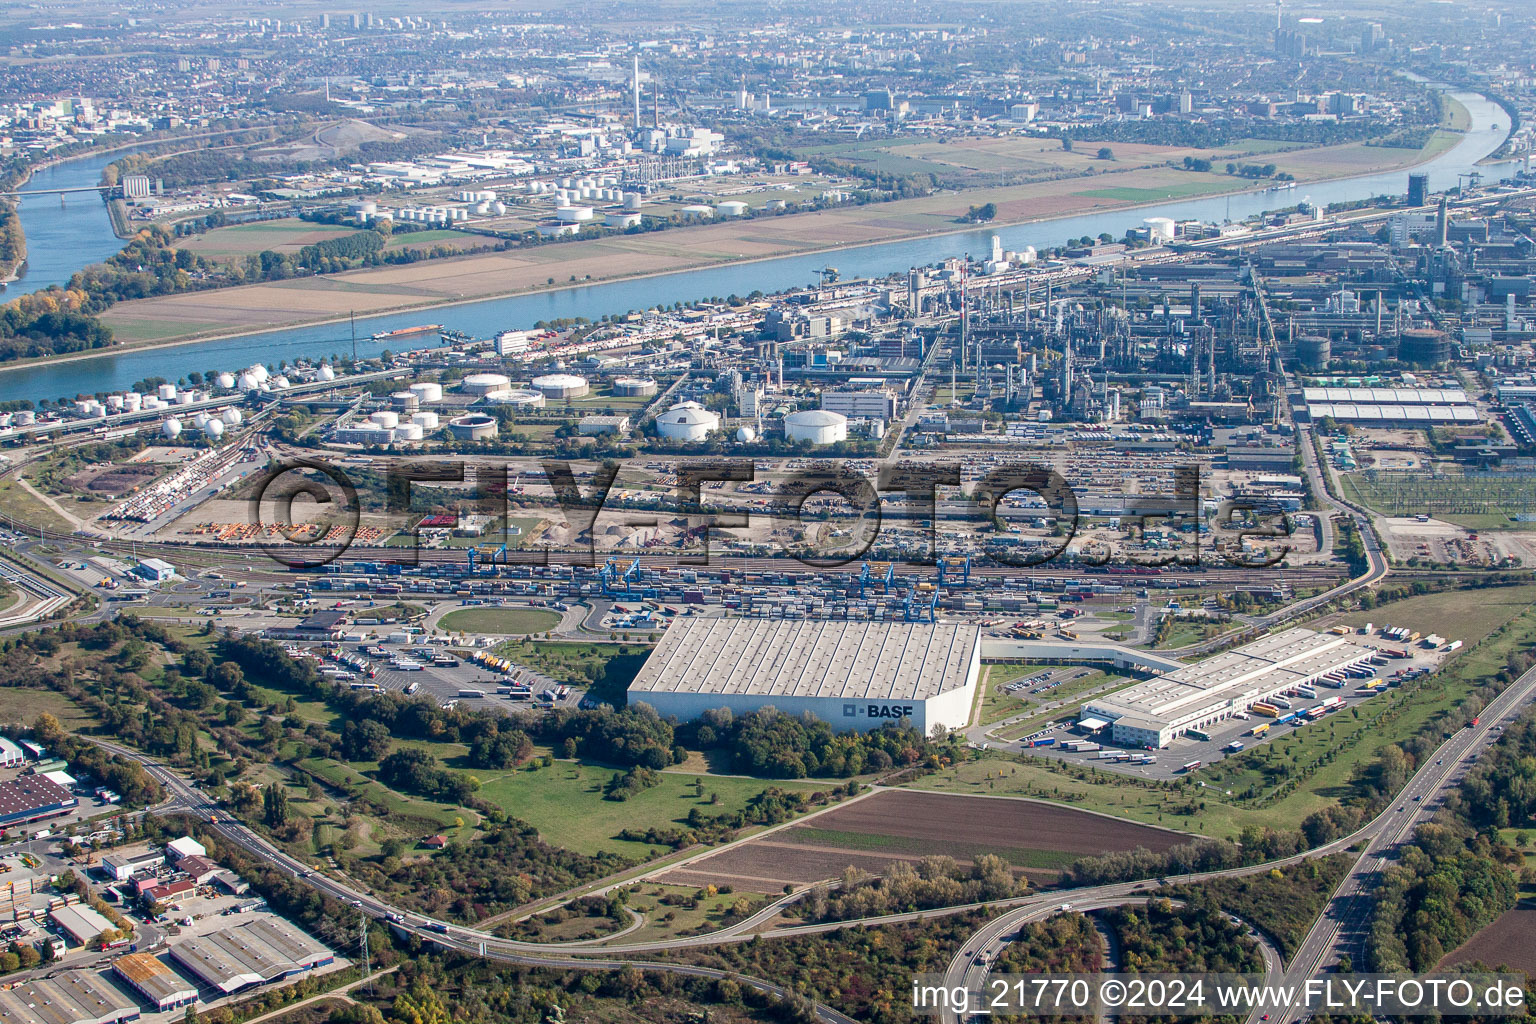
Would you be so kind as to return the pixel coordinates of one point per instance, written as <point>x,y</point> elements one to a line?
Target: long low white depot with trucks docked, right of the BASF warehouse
<point>1193,698</point>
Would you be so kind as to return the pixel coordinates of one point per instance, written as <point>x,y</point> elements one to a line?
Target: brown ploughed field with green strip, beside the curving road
<point>1038,839</point>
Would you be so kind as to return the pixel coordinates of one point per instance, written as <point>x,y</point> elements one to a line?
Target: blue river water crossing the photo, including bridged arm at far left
<point>65,237</point>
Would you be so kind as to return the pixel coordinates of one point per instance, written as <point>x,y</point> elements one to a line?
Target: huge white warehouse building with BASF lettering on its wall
<point>856,676</point>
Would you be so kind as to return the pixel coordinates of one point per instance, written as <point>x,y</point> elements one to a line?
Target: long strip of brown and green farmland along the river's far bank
<point>440,283</point>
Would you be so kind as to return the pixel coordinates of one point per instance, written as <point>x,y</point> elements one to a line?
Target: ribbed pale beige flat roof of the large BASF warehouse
<point>773,658</point>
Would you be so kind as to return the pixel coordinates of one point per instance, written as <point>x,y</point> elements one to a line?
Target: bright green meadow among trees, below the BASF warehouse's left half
<point>566,804</point>
